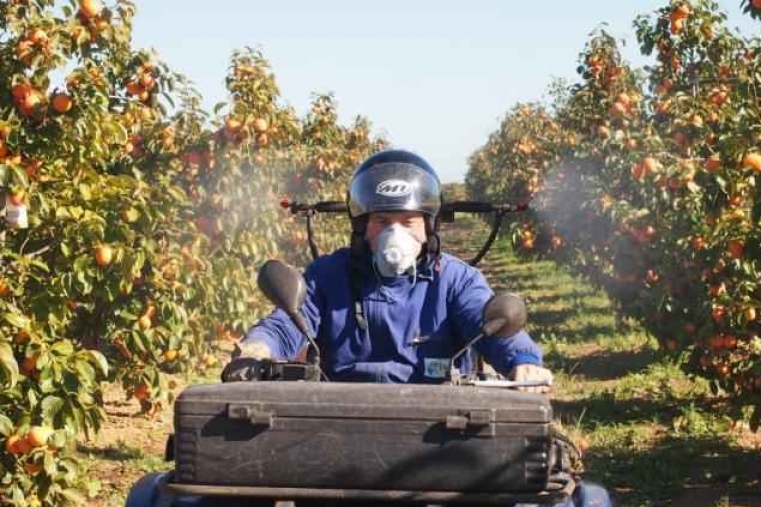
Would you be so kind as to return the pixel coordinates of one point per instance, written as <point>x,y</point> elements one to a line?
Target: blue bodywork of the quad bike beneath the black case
<point>148,492</point>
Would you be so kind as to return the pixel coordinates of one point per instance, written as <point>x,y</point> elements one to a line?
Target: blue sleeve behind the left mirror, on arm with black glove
<point>277,330</point>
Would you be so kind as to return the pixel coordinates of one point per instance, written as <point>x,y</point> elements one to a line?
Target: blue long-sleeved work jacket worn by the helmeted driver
<point>415,324</point>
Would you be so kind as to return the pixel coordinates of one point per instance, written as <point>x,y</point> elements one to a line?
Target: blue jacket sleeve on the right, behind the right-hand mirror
<point>503,353</point>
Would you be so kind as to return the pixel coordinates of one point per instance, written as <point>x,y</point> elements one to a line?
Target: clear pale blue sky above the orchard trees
<point>434,75</point>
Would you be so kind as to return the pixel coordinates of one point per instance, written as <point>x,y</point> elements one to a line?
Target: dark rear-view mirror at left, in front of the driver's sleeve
<point>285,287</point>
